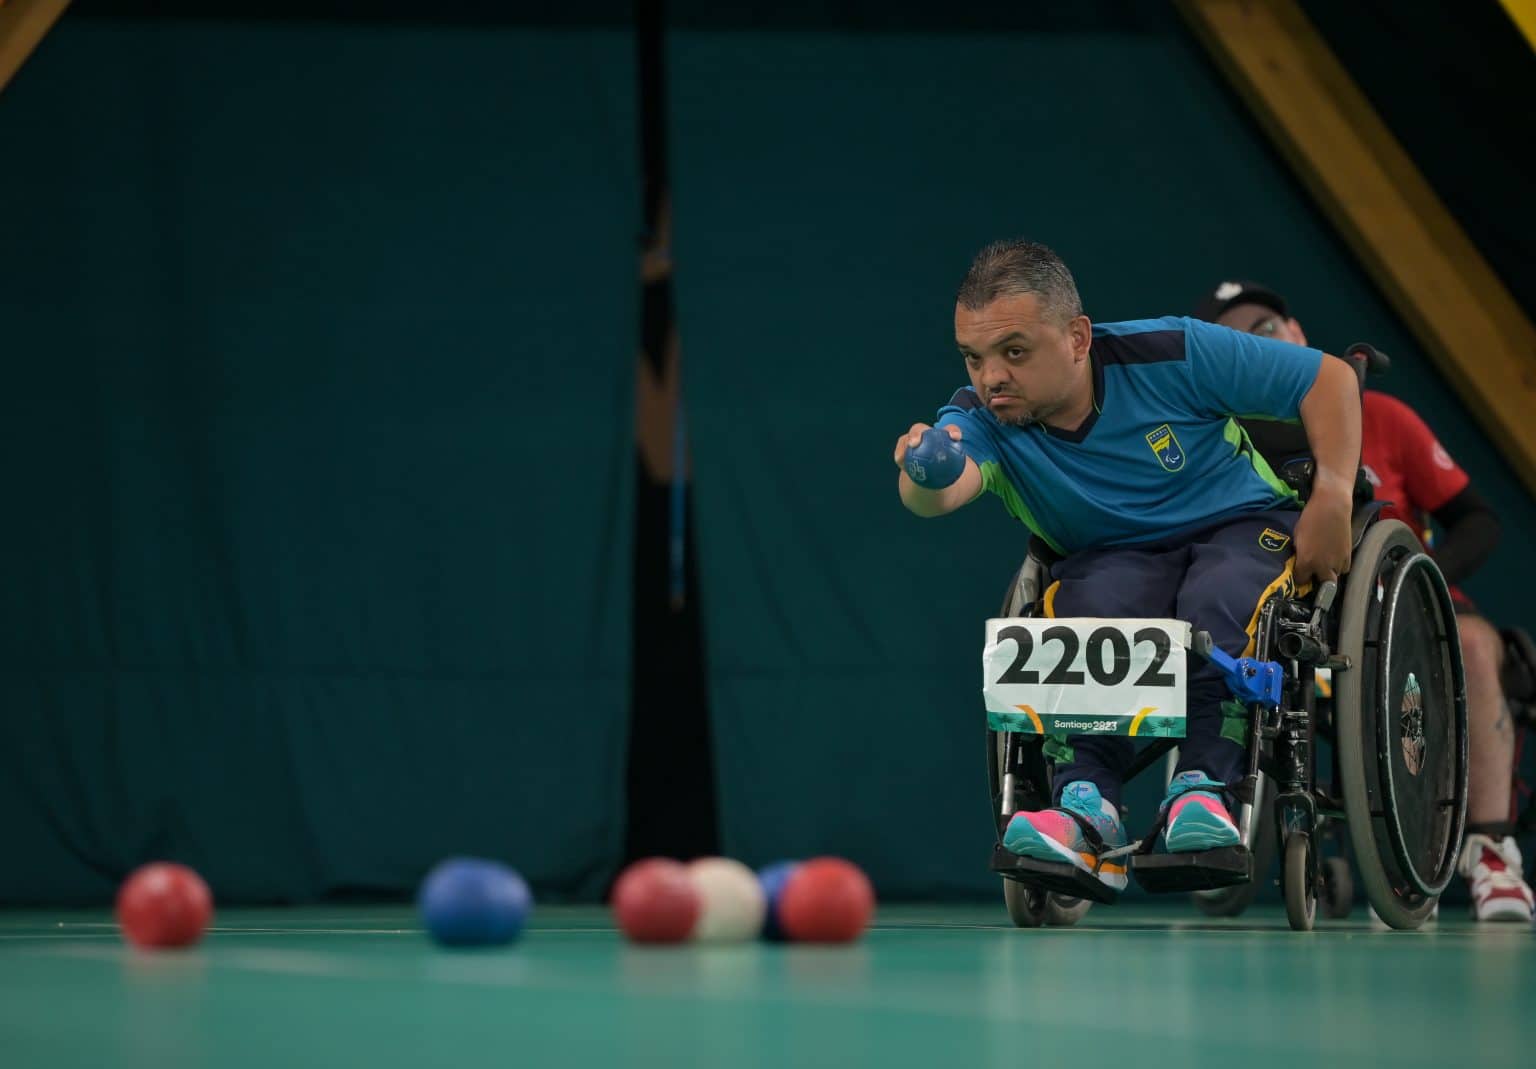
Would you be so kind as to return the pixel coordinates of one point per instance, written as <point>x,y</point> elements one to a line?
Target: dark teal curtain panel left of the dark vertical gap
<point>317,348</point>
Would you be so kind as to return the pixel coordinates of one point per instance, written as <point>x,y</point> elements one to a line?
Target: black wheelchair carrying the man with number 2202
<point>1399,720</point>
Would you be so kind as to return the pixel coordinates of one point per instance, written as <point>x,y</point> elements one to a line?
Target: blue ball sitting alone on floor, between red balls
<point>474,902</point>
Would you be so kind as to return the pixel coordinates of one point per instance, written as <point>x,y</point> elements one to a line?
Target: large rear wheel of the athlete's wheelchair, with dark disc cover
<point>1402,723</point>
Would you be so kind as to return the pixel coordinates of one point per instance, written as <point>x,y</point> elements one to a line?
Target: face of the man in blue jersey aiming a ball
<point>1024,366</point>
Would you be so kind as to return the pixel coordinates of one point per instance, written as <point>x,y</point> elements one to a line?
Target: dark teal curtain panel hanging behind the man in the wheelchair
<point>830,193</point>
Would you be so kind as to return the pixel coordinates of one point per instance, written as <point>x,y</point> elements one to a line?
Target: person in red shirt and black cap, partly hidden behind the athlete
<point>1412,471</point>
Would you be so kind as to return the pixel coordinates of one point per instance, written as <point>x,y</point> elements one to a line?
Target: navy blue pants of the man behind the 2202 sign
<point>1216,580</point>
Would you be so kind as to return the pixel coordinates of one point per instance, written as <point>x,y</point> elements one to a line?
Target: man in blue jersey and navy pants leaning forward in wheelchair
<point>1119,446</point>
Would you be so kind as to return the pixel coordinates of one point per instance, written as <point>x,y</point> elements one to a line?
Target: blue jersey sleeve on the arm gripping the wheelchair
<point>1236,374</point>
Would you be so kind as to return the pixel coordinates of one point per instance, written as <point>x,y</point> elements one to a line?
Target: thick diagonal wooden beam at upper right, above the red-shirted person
<point>1386,211</point>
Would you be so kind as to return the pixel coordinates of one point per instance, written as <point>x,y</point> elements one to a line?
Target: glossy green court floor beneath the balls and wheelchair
<point>941,987</point>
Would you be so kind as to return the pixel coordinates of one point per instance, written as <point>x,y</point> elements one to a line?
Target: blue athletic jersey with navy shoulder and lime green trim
<point>1162,452</point>
